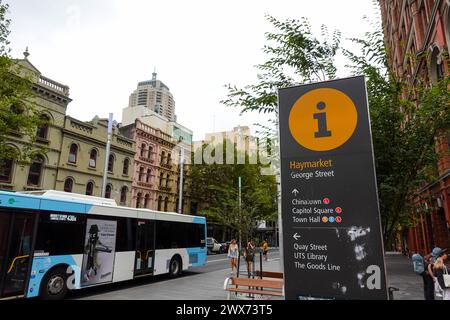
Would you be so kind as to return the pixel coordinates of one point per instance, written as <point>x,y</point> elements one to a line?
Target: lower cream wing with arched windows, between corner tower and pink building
<point>83,151</point>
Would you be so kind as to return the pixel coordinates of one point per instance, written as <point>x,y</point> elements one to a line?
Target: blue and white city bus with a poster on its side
<point>52,242</point>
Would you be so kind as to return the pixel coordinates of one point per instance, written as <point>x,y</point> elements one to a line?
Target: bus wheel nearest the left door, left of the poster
<point>54,285</point>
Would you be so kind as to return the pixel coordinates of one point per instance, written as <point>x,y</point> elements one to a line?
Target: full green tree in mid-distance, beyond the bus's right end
<point>217,185</point>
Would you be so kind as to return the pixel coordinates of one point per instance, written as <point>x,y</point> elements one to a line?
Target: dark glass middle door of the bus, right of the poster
<point>145,248</point>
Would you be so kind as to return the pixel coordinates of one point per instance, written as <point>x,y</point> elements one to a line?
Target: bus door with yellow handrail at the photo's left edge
<point>16,236</point>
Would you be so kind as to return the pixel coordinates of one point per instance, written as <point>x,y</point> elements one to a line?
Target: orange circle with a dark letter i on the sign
<point>323,119</point>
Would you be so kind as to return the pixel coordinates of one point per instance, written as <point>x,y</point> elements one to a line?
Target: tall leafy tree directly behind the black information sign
<point>404,121</point>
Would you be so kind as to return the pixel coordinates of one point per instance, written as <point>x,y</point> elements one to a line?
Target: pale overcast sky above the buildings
<point>101,49</point>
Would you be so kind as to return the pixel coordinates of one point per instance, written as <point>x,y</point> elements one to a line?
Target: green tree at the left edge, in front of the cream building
<point>18,114</point>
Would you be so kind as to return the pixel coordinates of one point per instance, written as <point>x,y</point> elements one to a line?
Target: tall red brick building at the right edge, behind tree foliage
<point>417,36</point>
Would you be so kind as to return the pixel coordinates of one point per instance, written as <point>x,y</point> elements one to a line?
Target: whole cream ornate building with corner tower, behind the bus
<point>75,150</point>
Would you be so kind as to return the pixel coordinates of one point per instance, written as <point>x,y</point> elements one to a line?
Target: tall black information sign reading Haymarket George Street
<point>332,241</point>
